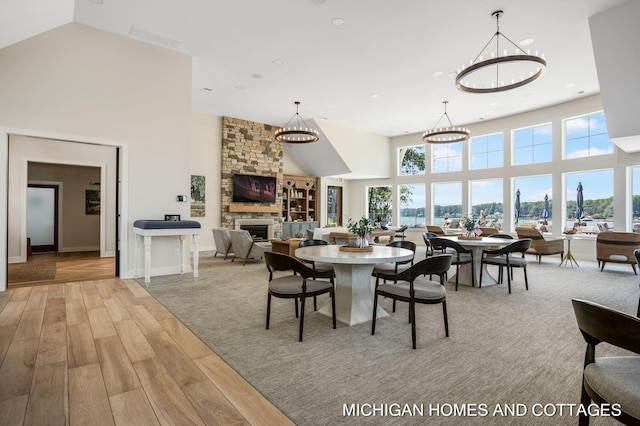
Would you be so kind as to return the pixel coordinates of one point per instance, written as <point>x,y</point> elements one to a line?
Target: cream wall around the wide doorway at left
<point>80,83</point>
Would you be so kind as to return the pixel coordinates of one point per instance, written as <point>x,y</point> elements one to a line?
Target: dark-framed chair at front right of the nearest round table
<point>410,287</point>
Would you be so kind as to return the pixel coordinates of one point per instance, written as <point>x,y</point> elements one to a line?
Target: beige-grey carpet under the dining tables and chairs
<point>521,351</point>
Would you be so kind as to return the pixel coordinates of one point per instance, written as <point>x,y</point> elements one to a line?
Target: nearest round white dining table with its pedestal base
<point>353,294</point>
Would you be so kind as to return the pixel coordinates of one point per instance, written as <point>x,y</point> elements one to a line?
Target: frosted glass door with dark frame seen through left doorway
<point>42,217</point>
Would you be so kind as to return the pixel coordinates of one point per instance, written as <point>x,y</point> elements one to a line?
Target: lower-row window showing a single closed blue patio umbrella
<point>597,194</point>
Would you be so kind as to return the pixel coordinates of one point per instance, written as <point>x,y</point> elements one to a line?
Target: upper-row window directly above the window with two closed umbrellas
<point>532,145</point>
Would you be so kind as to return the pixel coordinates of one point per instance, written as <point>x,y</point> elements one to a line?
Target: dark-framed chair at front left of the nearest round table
<point>305,282</point>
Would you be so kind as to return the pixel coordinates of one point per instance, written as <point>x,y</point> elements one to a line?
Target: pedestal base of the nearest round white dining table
<point>354,299</point>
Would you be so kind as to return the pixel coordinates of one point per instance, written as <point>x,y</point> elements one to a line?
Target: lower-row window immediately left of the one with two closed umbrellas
<point>486,201</point>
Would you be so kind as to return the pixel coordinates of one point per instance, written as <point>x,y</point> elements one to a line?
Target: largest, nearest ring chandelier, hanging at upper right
<point>500,73</point>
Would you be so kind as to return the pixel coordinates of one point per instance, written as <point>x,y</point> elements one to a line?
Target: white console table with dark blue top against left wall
<point>165,228</point>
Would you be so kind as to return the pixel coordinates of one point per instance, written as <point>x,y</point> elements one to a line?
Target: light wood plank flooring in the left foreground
<point>105,352</point>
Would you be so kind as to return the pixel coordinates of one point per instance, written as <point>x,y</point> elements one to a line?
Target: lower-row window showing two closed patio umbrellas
<point>533,190</point>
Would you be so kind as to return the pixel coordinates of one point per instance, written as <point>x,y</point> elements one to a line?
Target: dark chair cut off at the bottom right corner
<point>610,379</point>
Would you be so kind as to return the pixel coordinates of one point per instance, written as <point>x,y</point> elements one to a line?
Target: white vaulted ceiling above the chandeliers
<point>388,48</point>
